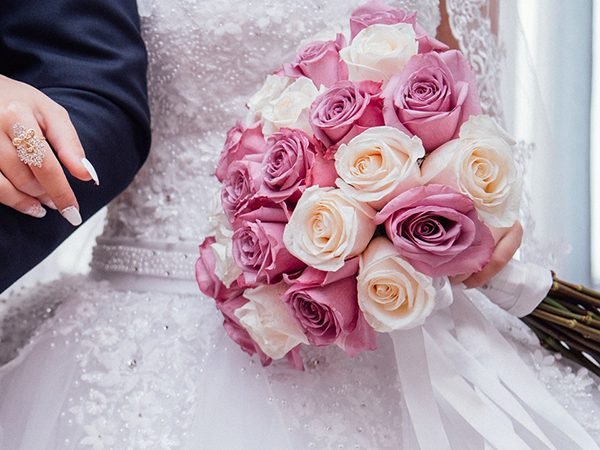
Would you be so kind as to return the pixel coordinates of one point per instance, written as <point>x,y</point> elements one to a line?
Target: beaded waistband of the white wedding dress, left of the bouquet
<point>145,265</point>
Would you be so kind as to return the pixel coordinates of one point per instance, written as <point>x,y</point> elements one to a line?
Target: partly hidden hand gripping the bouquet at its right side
<point>508,241</point>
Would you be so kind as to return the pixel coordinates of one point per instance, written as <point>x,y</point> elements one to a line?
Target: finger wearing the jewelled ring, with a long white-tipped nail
<point>50,175</point>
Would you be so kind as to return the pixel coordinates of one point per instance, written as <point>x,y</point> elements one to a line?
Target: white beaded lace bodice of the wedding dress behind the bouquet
<point>206,59</point>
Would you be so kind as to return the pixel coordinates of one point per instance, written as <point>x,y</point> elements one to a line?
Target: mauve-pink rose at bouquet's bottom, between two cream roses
<point>326,307</point>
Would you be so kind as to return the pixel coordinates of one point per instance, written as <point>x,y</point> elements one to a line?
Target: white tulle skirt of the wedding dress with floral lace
<point>121,369</point>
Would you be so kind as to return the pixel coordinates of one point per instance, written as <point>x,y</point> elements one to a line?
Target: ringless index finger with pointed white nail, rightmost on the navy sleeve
<point>62,136</point>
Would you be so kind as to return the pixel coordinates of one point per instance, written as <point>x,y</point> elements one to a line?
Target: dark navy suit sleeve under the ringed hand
<point>88,56</point>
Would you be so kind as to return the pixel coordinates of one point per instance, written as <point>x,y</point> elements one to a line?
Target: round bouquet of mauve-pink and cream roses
<point>362,178</point>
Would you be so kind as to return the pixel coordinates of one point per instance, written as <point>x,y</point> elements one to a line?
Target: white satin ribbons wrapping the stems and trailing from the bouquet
<point>464,385</point>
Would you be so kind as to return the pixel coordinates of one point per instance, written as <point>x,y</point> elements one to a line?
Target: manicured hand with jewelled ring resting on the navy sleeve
<point>25,187</point>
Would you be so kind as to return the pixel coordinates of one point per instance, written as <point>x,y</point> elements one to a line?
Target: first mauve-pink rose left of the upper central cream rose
<point>288,158</point>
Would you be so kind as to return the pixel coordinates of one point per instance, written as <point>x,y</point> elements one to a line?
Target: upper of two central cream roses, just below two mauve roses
<point>378,164</point>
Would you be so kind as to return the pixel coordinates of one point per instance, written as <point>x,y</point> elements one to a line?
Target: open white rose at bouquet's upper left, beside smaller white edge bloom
<point>290,108</point>
